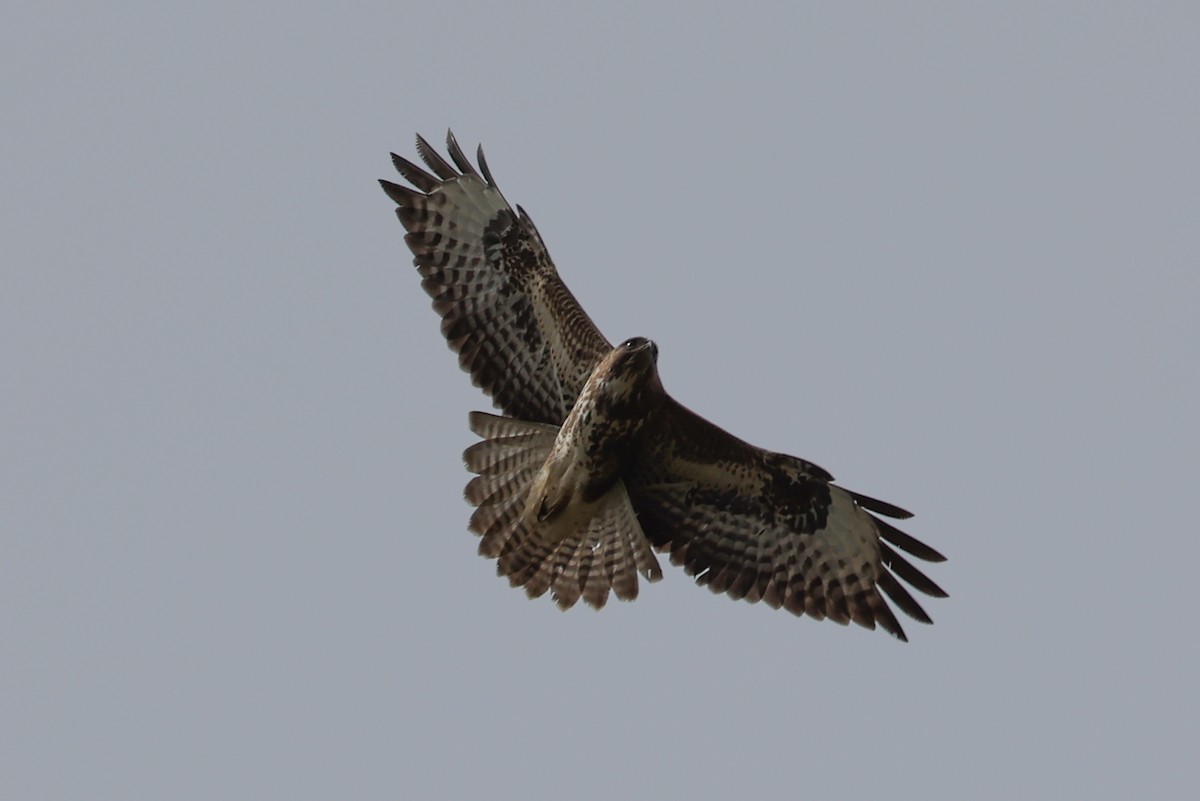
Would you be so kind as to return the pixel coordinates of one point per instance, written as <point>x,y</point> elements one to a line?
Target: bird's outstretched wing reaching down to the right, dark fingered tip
<point>766,527</point>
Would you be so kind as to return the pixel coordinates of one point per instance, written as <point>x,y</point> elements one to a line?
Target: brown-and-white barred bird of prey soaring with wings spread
<point>593,467</point>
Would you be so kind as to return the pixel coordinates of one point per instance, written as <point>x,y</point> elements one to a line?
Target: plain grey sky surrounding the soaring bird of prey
<point>946,251</point>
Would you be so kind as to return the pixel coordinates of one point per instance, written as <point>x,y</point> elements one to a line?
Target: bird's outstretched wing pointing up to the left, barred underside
<point>517,328</point>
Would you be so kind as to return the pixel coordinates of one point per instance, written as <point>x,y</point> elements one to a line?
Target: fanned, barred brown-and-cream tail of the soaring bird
<point>605,555</point>
